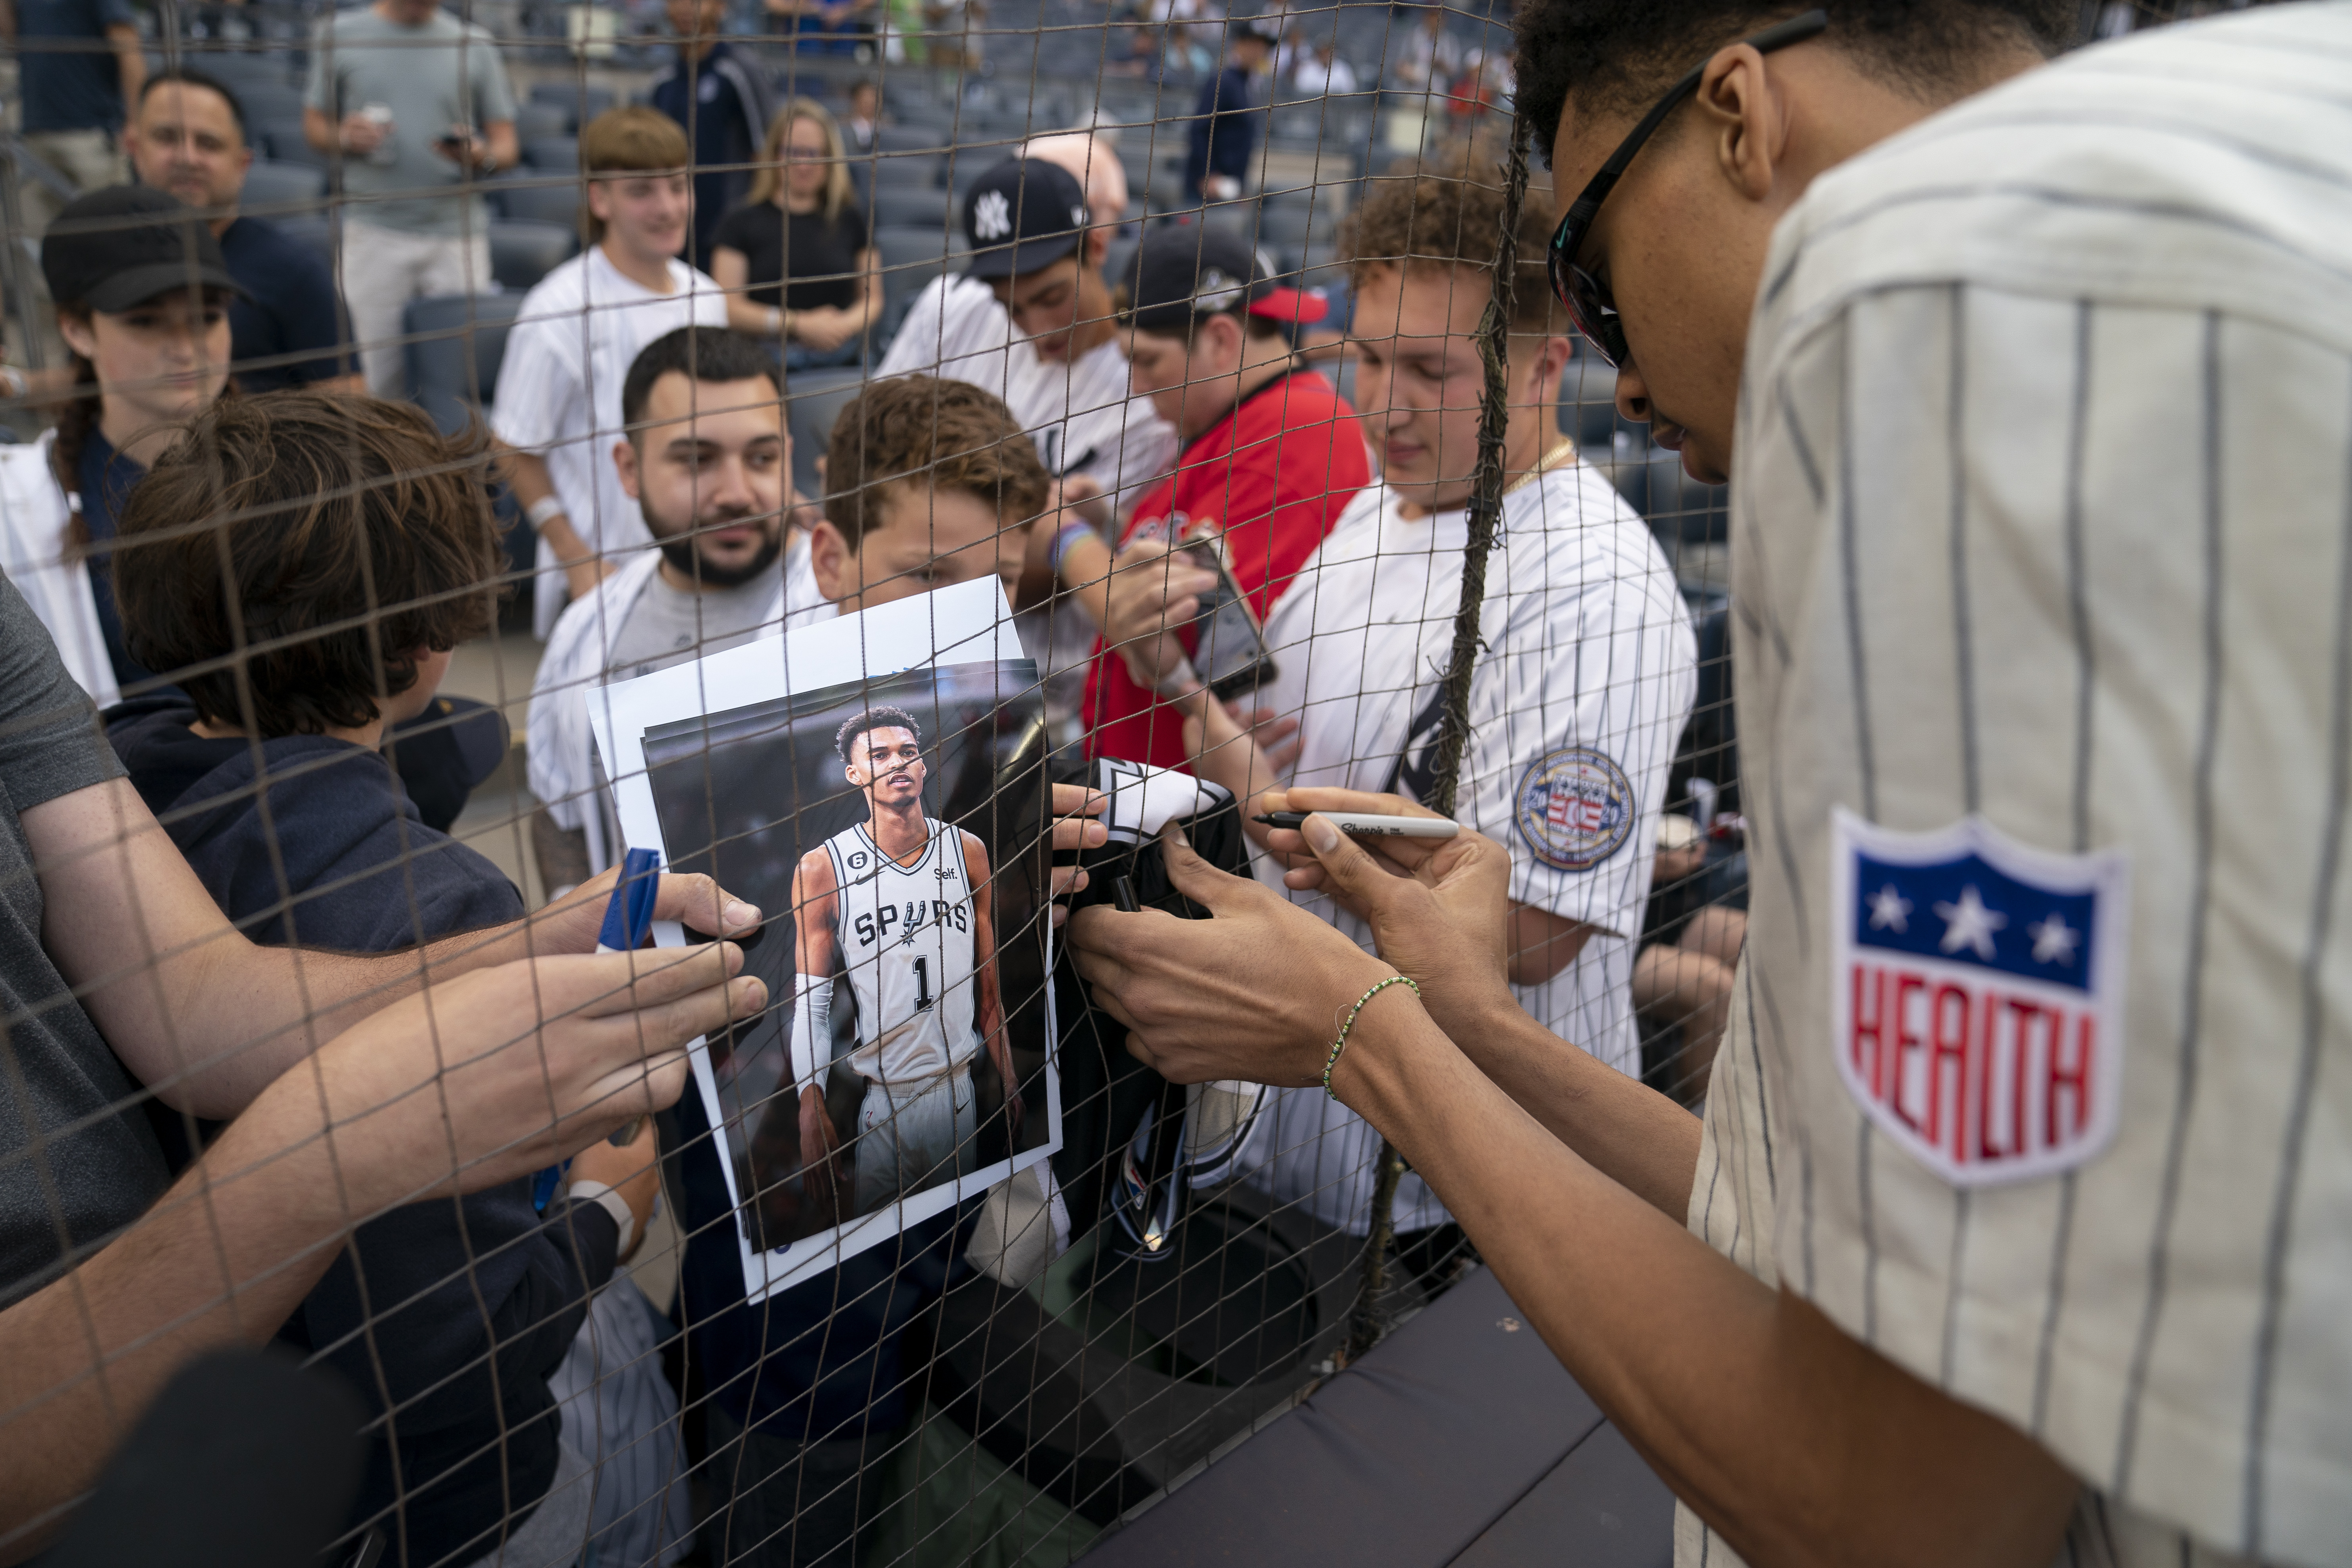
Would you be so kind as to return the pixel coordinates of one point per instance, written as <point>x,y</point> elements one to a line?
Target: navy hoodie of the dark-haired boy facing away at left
<point>446,1315</point>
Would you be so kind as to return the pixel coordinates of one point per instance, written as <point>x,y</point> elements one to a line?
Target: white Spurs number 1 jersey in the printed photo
<point>907,944</point>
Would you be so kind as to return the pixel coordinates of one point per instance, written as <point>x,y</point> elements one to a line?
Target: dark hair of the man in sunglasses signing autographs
<point>1619,55</point>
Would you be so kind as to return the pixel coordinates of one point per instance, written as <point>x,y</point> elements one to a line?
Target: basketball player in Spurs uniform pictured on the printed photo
<point>900,906</point>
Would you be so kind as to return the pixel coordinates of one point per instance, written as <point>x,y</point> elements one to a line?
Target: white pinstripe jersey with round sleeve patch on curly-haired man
<point>1575,716</point>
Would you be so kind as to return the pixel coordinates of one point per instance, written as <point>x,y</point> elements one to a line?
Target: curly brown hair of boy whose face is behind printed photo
<point>930,431</point>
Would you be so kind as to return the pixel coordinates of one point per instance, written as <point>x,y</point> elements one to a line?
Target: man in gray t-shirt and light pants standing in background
<point>410,100</point>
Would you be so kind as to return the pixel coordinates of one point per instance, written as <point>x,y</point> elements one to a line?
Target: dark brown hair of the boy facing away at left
<point>293,554</point>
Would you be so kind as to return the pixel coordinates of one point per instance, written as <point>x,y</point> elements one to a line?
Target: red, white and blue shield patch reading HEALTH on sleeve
<point>1977,996</point>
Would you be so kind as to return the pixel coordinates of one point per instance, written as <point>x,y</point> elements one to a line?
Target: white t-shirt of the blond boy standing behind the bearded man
<point>561,391</point>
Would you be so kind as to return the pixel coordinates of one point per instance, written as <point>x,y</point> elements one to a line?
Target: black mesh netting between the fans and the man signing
<point>676,535</point>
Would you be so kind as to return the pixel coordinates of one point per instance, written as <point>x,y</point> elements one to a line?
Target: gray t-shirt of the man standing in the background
<point>434,79</point>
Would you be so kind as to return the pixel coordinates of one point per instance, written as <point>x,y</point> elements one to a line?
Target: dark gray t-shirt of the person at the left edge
<point>79,1158</point>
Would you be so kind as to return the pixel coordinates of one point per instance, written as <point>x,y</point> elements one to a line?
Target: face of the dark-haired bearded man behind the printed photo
<point>709,474</point>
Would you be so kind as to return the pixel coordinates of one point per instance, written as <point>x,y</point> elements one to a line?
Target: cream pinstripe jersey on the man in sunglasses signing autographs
<point>2043,511</point>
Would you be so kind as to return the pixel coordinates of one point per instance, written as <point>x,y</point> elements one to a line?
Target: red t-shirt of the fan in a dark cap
<point>1274,476</point>
